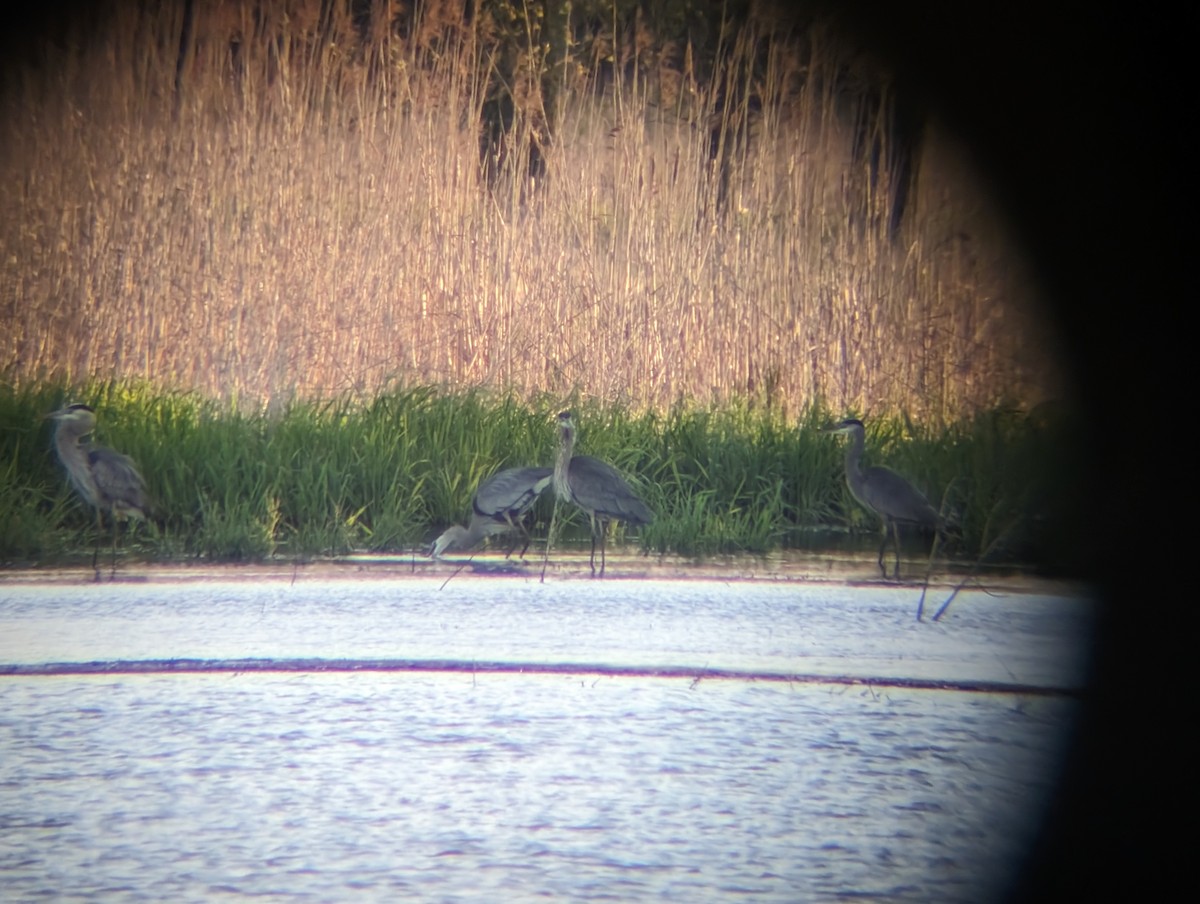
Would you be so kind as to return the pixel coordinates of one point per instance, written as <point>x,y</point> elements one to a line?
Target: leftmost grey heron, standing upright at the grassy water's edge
<point>106,480</point>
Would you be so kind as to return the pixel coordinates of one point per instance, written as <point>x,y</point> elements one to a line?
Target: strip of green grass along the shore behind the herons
<point>389,474</point>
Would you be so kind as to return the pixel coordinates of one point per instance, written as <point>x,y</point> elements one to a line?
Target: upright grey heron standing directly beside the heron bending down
<point>595,487</point>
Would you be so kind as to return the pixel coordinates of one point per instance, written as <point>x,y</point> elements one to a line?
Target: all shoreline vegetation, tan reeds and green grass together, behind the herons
<point>321,268</point>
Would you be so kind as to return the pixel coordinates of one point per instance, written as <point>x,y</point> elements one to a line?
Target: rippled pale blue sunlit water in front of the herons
<point>488,786</point>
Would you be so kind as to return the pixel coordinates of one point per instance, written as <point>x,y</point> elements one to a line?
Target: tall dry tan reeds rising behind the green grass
<point>308,215</point>
